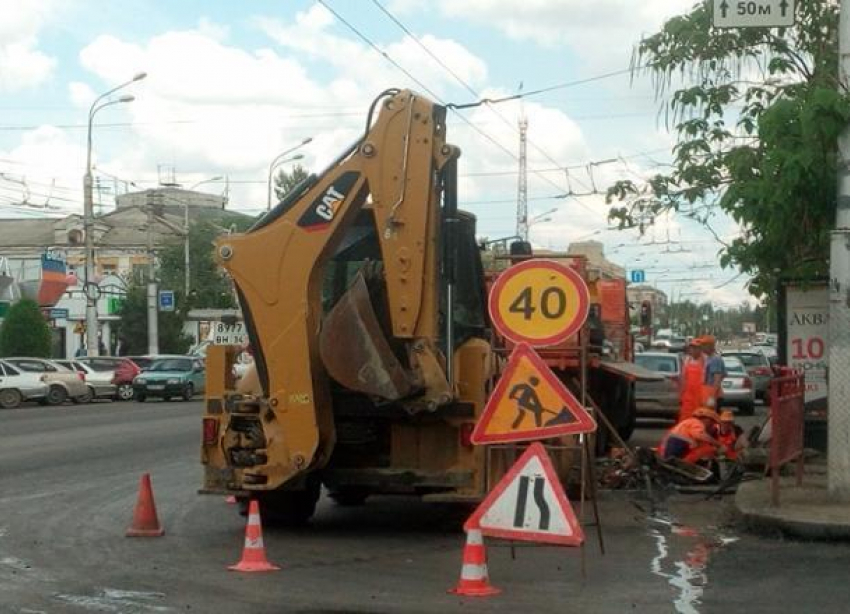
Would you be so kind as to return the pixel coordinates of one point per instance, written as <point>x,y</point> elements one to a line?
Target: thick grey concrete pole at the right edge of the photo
<point>839,295</point>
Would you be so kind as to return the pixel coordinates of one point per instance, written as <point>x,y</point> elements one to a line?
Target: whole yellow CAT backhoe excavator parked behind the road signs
<point>364,300</point>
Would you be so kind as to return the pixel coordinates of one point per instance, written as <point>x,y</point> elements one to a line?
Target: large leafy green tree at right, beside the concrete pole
<point>756,121</point>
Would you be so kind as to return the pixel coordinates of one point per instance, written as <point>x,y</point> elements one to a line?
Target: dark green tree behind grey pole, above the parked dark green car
<point>133,325</point>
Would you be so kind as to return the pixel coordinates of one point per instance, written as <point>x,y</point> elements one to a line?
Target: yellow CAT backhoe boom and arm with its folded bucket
<point>397,171</point>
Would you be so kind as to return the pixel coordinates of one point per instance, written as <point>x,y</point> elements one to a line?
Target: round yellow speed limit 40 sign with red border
<point>539,302</point>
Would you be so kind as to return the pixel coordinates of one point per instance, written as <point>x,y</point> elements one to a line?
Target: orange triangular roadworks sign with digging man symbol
<point>528,403</point>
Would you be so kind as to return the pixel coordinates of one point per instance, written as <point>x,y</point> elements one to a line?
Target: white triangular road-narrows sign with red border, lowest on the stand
<point>529,504</point>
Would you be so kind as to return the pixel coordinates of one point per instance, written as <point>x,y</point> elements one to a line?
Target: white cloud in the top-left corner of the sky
<point>22,64</point>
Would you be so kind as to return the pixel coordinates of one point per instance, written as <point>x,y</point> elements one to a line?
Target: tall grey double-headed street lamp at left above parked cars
<point>91,290</point>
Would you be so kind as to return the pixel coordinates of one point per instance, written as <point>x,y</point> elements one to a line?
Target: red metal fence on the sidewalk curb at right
<point>787,399</point>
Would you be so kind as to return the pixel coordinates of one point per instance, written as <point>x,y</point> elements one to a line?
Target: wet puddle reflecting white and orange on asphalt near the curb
<point>688,575</point>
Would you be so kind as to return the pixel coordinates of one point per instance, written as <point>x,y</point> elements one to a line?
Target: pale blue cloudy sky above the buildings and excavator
<point>230,85</point>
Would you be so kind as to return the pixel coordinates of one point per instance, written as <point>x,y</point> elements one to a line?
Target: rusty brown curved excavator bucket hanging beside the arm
<point>354,350</point>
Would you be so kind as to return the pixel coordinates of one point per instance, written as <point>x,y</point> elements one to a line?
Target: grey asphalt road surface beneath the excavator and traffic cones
<point>68,484</point>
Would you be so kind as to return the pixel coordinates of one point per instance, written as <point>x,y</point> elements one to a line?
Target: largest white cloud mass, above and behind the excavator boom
<point>207,104</point>
